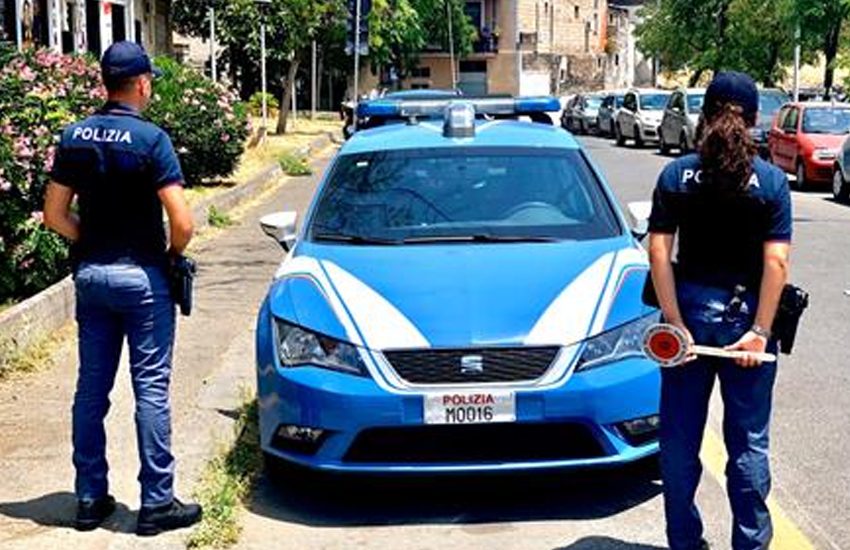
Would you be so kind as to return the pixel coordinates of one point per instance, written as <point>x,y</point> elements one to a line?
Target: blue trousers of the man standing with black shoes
<point>117,301</point>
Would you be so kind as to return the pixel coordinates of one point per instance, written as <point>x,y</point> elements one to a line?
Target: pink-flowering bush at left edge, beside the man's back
<point>40,93</point>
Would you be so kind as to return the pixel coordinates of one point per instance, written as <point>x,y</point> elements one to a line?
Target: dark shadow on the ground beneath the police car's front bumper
<point>332,500</point>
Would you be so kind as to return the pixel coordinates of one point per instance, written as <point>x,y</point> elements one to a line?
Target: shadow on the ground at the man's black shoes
<point>59,509</point>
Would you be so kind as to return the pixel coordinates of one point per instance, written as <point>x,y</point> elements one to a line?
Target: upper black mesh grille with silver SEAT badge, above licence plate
<point>473,365</point>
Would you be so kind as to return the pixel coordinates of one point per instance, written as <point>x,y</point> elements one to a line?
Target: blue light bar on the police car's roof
<point>436,108</point>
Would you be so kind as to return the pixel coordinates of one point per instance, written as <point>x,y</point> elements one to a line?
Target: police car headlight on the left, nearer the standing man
<point>297,346</point>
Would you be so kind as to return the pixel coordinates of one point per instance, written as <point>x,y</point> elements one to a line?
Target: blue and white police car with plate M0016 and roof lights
<point>463,295</point>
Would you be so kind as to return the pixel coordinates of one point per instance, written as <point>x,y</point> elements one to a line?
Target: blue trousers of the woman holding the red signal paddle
<point>747,397</point>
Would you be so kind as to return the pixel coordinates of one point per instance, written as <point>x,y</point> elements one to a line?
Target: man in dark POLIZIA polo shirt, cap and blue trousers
<point>122,170</point>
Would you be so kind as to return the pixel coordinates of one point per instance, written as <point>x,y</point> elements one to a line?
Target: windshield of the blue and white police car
<point>481,194</point>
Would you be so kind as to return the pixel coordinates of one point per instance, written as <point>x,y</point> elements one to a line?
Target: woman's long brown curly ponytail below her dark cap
<point>726,149</point>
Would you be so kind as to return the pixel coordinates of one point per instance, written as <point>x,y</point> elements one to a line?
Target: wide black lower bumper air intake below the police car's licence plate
<point>474,444</point>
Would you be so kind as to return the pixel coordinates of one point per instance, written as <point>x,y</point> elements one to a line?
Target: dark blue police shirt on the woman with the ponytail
<point>721,235</point>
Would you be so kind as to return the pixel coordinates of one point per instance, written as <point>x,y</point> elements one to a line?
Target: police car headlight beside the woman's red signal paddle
<point>616,344</point>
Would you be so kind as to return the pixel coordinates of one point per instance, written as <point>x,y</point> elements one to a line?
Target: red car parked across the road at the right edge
<point>805,140</point>
